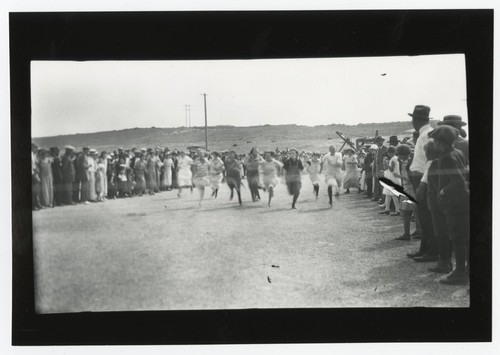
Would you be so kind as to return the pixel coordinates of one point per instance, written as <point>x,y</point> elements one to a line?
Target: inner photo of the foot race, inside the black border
<point>275,203</point>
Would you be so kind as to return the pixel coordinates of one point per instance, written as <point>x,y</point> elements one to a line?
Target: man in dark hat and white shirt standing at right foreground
<point>428,245</point>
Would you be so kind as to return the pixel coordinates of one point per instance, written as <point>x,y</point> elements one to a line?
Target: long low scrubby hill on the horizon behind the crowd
<point>240,139</point>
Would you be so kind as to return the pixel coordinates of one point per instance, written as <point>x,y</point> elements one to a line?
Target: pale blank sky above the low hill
<point>79,97</point>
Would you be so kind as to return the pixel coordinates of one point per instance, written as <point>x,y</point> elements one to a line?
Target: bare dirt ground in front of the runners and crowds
<point>162,252</point>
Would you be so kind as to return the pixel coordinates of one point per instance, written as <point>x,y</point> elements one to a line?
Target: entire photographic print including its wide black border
<point>310,165</point>
